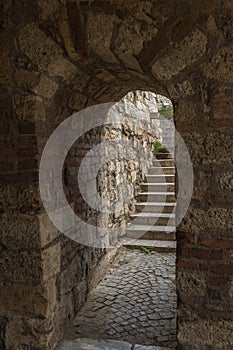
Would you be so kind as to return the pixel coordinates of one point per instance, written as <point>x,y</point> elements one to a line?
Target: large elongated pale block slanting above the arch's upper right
<point>191,48</point>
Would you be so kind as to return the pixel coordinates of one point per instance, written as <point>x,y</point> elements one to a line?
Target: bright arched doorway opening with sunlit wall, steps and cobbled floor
<point>136,301</point>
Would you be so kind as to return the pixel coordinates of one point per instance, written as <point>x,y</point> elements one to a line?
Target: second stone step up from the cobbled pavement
<point>151,232</point>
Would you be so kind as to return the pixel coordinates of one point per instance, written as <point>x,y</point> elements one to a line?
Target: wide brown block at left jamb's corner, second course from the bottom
<point>28,300</point>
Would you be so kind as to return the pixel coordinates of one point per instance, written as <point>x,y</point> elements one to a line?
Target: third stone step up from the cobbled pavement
<point>163,219</point>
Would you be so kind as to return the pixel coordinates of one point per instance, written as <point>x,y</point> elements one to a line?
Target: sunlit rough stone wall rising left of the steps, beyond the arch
<point>120,178</point>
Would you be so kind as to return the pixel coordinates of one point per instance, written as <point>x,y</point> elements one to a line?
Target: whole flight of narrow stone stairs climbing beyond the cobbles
<point>153,224</point>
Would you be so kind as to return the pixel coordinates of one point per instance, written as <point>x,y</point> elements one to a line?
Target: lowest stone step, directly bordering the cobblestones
<point>156,245</point>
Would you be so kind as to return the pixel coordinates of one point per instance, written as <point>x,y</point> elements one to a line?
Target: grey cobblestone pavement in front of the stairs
<point>136,302</point>
